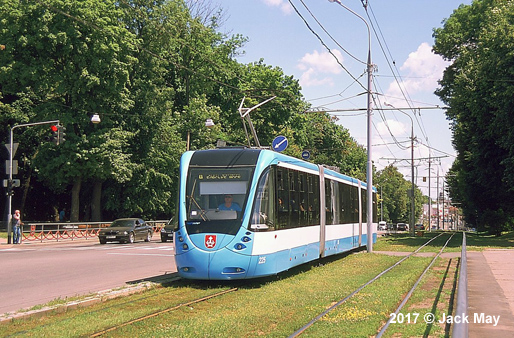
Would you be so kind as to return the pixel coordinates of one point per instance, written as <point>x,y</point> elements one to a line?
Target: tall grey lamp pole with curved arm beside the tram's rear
<point>369,166</point>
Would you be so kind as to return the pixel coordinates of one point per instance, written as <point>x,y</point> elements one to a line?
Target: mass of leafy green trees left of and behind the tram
<point>154,71</point>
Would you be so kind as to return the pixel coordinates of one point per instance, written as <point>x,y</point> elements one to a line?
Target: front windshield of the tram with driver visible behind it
<point>215,199</point>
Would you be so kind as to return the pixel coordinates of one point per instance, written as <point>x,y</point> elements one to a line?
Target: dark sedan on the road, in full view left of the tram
<point>126,230</point>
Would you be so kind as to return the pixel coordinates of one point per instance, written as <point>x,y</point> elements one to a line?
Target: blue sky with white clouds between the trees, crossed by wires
<point>325,46</point>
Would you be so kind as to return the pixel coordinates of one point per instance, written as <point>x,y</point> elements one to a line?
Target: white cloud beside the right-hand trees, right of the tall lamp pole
<point>421,72</point>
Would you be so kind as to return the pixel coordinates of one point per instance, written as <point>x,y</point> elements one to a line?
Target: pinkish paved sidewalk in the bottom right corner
<point>491,293</point>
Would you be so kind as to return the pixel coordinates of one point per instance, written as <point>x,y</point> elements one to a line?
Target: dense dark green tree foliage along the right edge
<point>478,39</point>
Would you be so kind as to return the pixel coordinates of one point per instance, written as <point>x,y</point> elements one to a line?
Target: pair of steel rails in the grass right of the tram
<point>372,280</point>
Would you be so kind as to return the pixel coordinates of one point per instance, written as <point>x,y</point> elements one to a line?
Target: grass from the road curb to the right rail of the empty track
<point>274,307</point>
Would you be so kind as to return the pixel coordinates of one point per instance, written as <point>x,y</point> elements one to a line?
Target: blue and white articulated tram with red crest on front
<point>290,212</point>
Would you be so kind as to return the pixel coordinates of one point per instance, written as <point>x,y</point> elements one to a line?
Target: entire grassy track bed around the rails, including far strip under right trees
<point>280,305</point>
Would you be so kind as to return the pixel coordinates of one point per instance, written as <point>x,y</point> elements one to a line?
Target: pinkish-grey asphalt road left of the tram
<point>34,273</point>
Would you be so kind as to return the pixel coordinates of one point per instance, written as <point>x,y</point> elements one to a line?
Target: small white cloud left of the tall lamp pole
<point>316,66</point>
